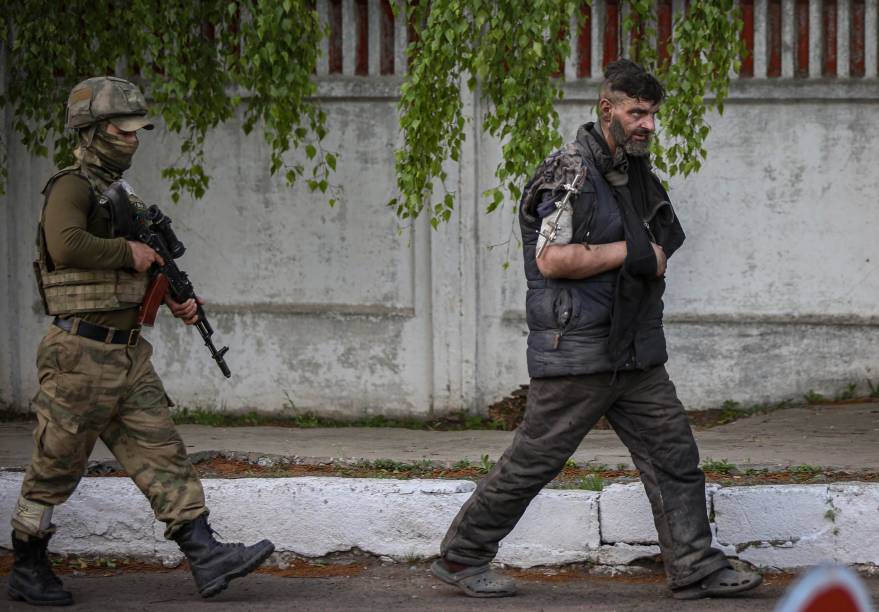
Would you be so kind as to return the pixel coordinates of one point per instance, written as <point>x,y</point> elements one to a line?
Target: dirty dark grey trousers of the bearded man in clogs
<point>644,410</point>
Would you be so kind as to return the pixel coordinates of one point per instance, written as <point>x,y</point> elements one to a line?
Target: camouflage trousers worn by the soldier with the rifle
<point>90,389</point>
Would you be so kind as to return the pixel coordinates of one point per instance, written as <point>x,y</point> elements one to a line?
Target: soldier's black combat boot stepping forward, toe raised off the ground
<point>213,563</point>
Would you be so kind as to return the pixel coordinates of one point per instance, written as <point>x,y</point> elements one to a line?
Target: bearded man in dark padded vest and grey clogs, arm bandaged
<point>597,229</point>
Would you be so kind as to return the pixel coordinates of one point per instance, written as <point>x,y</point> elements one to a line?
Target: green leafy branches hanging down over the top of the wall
<point>505,52</point>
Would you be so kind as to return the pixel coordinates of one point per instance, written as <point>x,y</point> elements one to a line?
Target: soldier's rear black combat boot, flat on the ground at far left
<point>32,579</point>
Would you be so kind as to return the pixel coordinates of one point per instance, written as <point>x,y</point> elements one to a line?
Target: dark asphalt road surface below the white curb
<point>395,587</point>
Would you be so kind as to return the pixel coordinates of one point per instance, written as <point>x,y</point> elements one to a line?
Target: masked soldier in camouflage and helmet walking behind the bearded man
<point>96,378</point>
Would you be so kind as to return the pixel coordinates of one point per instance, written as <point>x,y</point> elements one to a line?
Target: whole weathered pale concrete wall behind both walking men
<point>343,311</point>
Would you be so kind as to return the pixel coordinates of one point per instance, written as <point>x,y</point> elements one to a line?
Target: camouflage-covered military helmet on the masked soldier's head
<point>107,98</point>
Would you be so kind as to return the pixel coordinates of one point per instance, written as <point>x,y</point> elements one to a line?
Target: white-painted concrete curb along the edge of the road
<point>779,526</point>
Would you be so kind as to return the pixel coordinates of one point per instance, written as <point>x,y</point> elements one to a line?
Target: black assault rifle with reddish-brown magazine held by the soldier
<point>136,221</point>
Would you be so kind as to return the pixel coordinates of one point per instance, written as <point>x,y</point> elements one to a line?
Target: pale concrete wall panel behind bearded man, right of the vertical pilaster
<point>774,291</point>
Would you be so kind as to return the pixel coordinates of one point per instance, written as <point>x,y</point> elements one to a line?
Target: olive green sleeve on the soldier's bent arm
<point>74,238</point>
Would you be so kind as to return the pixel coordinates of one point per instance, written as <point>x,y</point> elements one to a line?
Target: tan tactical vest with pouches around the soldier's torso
<point>69,291</point>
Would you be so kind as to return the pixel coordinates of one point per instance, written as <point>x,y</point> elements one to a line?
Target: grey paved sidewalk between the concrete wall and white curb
<point>844,437</point>
